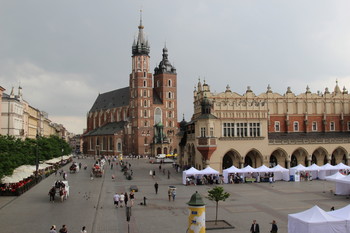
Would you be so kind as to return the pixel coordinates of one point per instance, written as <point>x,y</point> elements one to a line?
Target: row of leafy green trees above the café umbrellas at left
<point>16,152</point>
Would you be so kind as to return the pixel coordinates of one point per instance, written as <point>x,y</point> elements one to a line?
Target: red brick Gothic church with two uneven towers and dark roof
<point>140,119</point>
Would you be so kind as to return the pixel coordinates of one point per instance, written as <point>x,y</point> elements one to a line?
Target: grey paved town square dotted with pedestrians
<point>91,203</point>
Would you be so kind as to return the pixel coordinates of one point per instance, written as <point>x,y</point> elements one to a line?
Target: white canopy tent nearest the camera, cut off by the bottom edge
<point>315,220</point>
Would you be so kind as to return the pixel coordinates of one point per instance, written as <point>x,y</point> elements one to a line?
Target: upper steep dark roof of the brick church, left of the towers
<point>112,99</point>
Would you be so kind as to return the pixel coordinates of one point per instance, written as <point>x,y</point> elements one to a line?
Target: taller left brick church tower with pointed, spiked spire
<point>141,95</point>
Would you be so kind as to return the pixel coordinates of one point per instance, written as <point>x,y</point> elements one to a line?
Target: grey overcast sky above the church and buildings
<point>63,53</point>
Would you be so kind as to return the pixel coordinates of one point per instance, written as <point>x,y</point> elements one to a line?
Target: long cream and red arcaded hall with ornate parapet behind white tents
<point>231,129</point>
